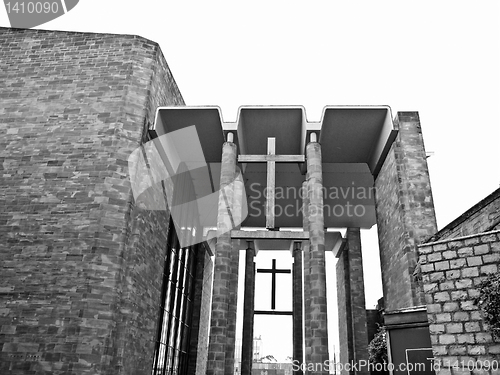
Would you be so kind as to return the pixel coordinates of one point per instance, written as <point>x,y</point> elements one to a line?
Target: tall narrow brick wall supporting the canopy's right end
<point>405,212</point>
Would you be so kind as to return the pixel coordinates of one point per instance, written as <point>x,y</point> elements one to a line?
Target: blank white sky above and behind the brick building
<point>440,58</point>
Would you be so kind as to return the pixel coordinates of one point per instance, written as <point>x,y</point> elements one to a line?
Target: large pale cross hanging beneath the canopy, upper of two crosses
<point>271,159</point>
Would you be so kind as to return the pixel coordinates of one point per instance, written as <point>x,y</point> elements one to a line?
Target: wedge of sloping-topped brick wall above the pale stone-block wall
<point>482,217</point>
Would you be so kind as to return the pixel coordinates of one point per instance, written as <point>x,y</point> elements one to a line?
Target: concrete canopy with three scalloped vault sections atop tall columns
<point>354,142</point>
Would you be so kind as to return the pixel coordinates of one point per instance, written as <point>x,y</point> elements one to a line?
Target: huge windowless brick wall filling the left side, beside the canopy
<point>79,285</point>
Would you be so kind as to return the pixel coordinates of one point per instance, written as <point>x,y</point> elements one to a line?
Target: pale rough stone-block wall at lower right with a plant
<point>451,271</point>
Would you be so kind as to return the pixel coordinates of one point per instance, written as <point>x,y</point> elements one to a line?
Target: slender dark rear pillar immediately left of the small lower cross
<point>248,312</point>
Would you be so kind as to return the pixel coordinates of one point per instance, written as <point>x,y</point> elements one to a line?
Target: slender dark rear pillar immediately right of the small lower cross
<point>298,337</point>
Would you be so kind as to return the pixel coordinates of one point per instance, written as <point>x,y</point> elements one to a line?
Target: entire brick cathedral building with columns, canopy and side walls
<point>108,267</point>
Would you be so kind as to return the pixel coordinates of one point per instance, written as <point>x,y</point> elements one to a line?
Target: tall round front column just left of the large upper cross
<point>221,324</point>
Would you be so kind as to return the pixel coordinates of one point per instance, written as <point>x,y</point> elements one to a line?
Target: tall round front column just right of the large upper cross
<point>317,304</point>
